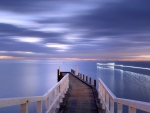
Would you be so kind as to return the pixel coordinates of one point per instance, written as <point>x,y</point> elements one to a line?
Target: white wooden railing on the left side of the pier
<point>52,98</point>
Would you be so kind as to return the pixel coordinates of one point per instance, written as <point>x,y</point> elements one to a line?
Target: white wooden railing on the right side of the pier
<point>108,99</point>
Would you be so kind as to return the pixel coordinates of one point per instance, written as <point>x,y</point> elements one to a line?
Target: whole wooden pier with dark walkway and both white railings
<point>74,93</point>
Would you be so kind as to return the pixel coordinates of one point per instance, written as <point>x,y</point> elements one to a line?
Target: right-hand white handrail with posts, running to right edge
<point>133,104</point>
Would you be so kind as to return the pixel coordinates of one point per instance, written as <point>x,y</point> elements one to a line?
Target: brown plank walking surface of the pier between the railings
<point>81,98</point>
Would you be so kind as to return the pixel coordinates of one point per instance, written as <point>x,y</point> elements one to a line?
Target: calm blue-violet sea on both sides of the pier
<point>34,78</point>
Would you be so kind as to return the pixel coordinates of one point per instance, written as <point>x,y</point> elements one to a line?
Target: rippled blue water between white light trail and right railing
<point>125,84</point>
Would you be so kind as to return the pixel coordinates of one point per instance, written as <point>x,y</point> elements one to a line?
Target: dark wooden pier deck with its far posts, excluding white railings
<point>83,97</point>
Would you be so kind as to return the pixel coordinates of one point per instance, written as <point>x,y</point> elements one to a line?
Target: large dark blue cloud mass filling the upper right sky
<point>127,17</point>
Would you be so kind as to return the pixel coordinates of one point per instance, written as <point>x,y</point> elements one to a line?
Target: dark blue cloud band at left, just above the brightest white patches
<point>11,30</point>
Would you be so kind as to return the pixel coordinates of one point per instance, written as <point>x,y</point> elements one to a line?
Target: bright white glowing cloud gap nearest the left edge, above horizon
<point>28,39</point>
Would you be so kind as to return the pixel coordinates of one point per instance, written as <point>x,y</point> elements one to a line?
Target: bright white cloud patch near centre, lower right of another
<point>59,46</point>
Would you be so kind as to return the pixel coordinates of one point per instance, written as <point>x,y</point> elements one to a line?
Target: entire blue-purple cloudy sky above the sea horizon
<point>75,29</point>
